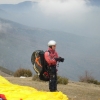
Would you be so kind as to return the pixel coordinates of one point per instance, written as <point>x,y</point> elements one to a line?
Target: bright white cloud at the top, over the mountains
<point>59,7</point>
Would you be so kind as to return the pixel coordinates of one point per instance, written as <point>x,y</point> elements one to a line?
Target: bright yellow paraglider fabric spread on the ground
<point>17,92</point>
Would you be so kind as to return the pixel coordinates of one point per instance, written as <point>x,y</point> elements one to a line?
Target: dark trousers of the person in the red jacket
<point>53,78</point>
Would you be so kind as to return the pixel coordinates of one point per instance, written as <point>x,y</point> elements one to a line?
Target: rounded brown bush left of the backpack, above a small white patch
<point>23,72</point>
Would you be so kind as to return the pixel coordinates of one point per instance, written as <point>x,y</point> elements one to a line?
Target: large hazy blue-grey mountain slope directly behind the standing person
<point>17,43</point>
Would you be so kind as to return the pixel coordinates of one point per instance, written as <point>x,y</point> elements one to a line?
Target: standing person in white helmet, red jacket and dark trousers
<point>50,56</point>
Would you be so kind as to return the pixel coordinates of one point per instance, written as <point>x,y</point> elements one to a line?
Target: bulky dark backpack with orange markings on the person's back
<point>40,65</point>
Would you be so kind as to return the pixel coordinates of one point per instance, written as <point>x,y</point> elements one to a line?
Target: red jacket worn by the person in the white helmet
<point>50,55</point>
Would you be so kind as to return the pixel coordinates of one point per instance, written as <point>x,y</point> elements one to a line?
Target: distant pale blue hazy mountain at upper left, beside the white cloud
<point>25,13</point>
